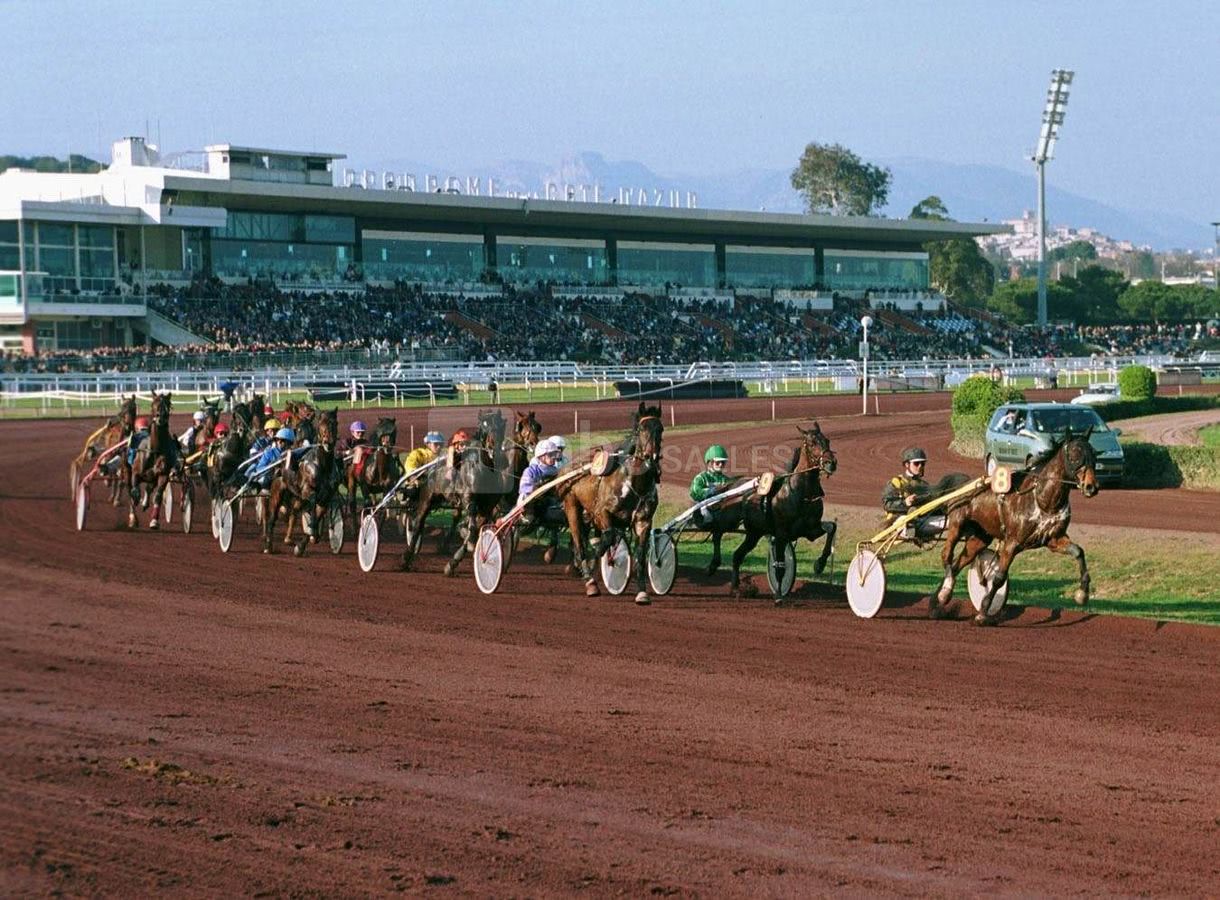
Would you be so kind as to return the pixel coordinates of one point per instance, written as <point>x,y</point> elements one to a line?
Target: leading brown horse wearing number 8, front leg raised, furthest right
<point>1036,513</point>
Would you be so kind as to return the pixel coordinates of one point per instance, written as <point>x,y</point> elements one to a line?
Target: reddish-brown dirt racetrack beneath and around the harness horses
<point>176,719</point>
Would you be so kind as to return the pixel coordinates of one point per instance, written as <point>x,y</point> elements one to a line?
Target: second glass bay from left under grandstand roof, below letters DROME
<point>419,257</point>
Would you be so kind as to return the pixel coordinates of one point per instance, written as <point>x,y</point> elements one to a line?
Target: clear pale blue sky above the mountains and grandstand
<point>686,88</point>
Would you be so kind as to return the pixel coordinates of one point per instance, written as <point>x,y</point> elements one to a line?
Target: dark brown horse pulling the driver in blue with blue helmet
<point>307,487</point>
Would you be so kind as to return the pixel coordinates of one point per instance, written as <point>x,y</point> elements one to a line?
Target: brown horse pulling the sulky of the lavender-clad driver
<point>626,498</point>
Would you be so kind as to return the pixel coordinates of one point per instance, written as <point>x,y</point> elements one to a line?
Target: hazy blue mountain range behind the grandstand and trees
<point>972,193</point>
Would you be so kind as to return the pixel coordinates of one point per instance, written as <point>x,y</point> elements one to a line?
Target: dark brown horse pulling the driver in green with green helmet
<point>795,510</point>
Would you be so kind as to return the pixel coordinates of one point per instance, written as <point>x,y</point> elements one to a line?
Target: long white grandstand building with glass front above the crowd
<point>80,252</point>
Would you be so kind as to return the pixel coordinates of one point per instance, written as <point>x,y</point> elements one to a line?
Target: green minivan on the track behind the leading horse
<point>1021,434</point>
